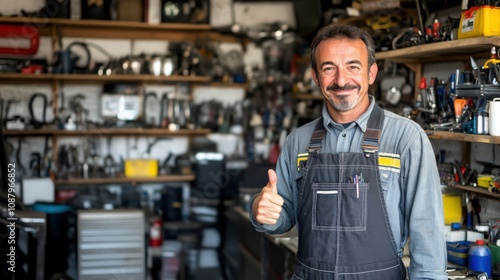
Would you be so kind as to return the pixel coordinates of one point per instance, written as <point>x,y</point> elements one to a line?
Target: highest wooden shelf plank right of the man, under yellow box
<point>441,50</point>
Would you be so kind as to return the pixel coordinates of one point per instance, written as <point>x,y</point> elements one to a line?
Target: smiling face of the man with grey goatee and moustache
<point>343,74</point>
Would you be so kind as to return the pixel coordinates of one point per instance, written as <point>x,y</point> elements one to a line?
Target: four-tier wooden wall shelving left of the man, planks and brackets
<point>63,28</point>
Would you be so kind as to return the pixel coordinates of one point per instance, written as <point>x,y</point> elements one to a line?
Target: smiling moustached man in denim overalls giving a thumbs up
<point>359,182</point>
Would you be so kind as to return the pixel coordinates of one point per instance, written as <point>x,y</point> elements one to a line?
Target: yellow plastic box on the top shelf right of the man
<point>479,21</point>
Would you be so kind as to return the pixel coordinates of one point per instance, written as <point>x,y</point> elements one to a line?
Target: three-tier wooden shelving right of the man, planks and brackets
<point>415,57</point>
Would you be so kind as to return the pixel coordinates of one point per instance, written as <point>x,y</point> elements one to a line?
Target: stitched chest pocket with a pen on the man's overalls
<point>339,206</point>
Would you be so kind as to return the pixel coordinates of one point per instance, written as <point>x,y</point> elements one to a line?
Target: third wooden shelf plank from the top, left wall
<point>109,132</point>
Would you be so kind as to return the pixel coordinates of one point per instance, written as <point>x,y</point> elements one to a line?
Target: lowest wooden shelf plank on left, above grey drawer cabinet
<point>125,180</point>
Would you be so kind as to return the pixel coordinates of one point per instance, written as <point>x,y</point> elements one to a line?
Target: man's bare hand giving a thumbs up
<point>266,207</point>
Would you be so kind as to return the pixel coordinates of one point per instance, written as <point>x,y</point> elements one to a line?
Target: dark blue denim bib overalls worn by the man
<point>344,231</point>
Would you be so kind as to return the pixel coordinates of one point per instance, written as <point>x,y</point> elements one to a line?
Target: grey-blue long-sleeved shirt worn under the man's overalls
<point>410,184</point>
